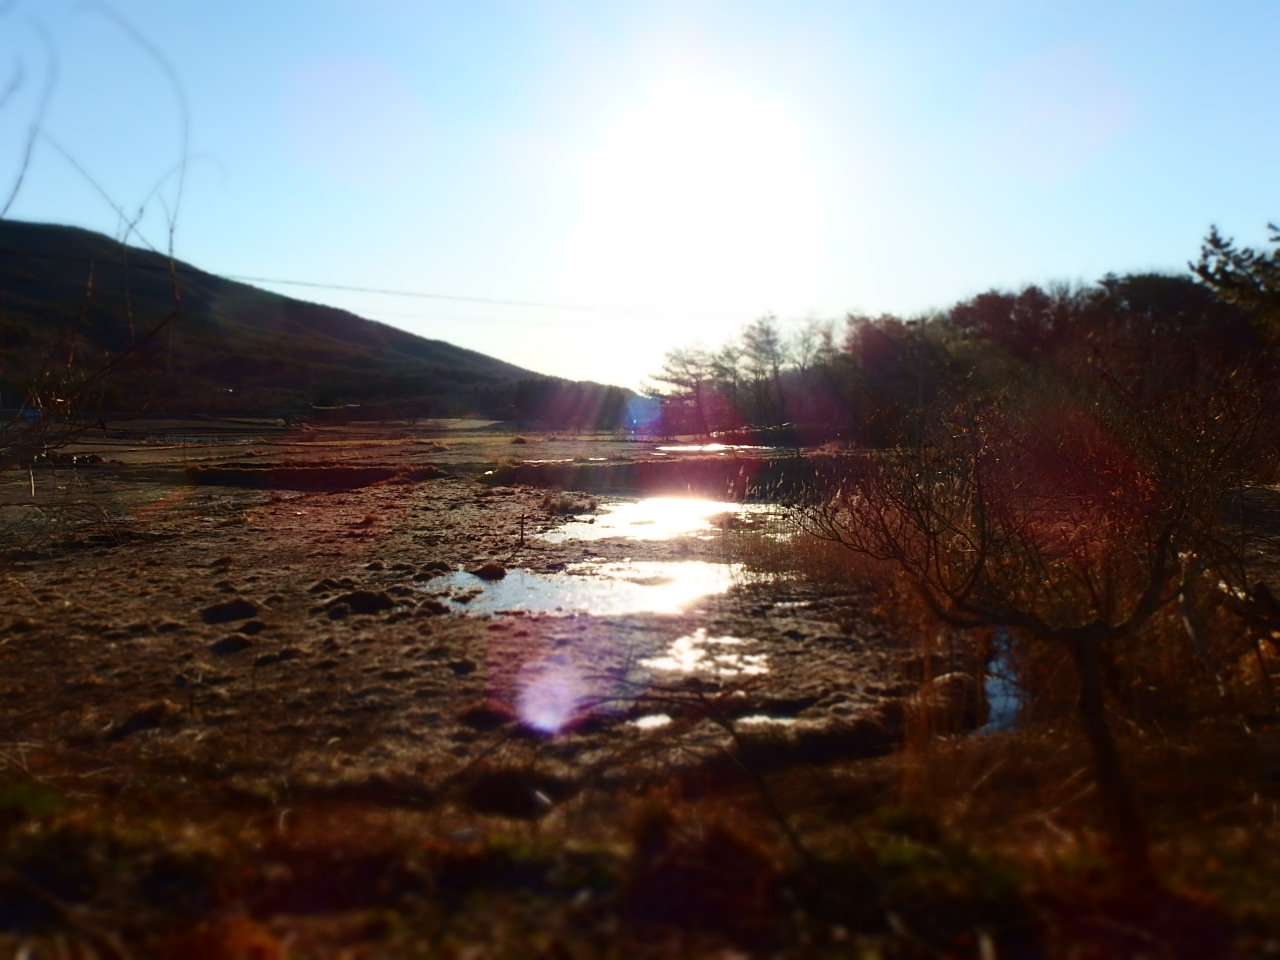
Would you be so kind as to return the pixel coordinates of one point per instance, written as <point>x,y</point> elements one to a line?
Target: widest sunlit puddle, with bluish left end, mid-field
<point>604,589</point>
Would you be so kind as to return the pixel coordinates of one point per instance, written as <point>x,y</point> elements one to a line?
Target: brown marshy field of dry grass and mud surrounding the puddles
<point>246,714</point>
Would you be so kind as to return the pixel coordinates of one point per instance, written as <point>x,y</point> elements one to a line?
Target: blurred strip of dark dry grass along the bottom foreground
<point>954,843</point>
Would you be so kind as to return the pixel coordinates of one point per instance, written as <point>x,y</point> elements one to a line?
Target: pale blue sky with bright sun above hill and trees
<point>655,172</point>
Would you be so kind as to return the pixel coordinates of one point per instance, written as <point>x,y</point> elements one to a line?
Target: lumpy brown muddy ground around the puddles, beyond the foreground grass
<point>292,643</point>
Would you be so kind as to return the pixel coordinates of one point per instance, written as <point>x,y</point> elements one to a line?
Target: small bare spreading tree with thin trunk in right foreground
<point>1059,516</point>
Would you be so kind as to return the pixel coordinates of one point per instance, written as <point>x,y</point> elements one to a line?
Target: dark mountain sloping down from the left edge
<point>72,300</point>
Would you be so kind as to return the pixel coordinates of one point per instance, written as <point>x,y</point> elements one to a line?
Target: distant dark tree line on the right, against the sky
<point>874,381</point>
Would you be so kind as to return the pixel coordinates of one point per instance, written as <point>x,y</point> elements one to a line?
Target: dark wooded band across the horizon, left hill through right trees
<point>92,327</point>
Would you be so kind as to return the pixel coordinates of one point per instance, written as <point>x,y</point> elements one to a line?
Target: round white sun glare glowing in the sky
<point>703,194</point>
